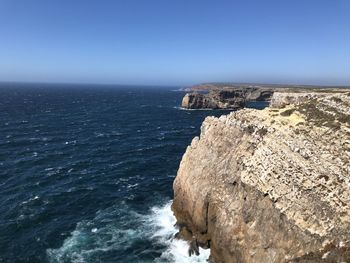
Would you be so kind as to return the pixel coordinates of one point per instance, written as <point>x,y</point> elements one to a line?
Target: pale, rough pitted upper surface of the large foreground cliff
<point>310,181</point>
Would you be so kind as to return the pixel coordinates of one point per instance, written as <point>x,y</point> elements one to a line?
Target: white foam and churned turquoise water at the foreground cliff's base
<point>120,234</point>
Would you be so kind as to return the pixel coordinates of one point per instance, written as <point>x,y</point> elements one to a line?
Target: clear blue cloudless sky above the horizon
<point>178,42</point>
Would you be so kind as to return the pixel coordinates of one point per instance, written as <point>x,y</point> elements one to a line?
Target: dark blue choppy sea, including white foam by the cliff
<point>86,172</point>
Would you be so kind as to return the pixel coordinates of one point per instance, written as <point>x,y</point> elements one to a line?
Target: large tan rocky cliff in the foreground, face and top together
<point>270,185</point>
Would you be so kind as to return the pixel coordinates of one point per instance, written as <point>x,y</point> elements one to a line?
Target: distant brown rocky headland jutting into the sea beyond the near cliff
<point>226,98</point>
